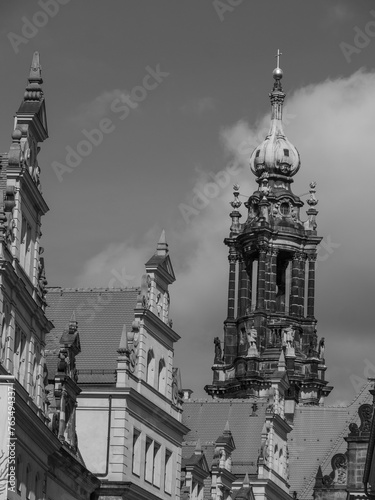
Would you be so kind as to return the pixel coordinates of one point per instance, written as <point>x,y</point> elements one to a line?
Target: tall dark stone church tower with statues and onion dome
<point>271,289</point>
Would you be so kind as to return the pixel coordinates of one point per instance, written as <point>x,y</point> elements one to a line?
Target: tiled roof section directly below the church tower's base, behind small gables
<point>207,420</point>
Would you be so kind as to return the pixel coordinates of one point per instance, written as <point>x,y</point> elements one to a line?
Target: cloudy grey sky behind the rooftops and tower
<point>172,93</point>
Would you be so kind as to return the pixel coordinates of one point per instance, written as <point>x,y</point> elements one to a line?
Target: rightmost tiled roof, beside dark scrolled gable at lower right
<point>318,434</point>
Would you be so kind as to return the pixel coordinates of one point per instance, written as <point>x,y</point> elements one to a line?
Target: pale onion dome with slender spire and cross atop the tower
<point>276,155</point>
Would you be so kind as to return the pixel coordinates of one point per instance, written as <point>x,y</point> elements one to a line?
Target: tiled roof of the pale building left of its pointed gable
<point>101,314</point>
